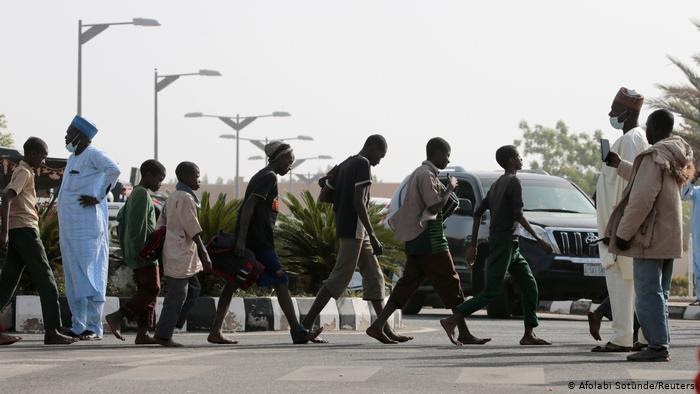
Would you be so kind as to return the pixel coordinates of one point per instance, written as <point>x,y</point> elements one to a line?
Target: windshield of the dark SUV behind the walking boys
<point>550,195</point>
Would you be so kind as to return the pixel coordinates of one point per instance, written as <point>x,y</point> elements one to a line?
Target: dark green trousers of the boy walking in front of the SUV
<point>504,256</point>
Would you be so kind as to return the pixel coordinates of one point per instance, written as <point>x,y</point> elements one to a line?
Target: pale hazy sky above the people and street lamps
<point>466,71</point>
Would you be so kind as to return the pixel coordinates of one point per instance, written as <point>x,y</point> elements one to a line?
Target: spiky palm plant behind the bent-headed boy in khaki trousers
<point>306,239</point>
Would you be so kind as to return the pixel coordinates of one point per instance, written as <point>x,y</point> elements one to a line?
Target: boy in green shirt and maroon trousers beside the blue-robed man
<point>137,220</point>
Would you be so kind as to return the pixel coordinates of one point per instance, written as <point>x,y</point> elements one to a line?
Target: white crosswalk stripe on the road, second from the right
<point>502,375</point>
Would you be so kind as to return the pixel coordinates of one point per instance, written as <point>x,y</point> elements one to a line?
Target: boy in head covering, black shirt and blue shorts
<point>254,231</point>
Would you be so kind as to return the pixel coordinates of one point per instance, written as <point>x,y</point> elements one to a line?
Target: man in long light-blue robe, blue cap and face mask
<point>84,231</point>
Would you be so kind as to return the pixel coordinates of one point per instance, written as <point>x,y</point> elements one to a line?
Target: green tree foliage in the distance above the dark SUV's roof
<point>574,156</point>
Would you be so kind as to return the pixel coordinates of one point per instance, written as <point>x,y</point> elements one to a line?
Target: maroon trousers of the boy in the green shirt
<point>142,305</point>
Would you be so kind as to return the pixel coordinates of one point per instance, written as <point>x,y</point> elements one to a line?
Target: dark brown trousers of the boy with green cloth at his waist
<point>439,269</point>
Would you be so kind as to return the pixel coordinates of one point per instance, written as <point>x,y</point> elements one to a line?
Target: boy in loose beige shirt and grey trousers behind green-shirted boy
<point>184,253</point>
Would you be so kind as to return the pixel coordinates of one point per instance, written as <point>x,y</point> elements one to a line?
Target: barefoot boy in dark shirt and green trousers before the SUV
<point>505,201</point>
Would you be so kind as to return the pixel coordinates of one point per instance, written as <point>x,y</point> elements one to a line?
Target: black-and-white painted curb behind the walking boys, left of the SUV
<point>245,314</point>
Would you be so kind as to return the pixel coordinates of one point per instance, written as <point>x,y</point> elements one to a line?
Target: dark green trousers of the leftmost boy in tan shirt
<point>25,250</point>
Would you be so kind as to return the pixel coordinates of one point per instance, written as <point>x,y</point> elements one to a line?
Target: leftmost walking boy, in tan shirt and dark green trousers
<point>19,232</point>
